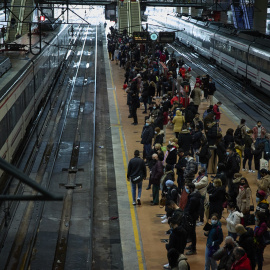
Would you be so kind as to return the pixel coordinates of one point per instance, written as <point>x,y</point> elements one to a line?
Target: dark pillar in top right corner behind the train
<point>260,15</point>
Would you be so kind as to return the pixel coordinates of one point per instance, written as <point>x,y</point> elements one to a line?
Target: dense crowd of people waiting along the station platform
<point>195,174</point>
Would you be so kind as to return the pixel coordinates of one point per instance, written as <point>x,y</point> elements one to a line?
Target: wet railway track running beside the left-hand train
<point>59,140</point>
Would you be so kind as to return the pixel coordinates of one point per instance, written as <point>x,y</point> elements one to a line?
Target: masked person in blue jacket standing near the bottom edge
<point>214,239</point>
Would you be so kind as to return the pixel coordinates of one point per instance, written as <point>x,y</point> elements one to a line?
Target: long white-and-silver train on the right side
<point>246,54</point>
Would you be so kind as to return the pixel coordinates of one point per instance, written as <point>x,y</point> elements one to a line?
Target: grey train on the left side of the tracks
<point>24,86</point>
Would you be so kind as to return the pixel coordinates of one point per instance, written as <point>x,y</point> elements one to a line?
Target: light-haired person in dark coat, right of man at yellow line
<point>156,174</point>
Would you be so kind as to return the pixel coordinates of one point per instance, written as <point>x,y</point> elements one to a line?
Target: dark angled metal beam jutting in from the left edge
<point>7,167</point>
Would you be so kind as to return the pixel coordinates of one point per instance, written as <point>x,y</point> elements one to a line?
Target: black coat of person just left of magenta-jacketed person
<point>246,241</point>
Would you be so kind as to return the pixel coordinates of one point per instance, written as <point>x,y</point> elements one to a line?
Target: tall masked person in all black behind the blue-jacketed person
<point>192,212</point>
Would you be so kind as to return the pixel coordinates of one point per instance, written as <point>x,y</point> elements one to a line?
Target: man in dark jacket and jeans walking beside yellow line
<point>136,173</point>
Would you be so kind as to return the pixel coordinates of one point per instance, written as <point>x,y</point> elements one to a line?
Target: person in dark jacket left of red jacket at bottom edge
<point>225,254</point>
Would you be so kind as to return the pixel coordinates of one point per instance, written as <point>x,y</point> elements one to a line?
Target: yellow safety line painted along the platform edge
<point>132,208</point>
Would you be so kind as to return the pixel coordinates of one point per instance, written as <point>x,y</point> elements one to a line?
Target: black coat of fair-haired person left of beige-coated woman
<point>216,199</point>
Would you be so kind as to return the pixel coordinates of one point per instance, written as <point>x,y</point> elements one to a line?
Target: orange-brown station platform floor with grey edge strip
<point>142,232</point>
